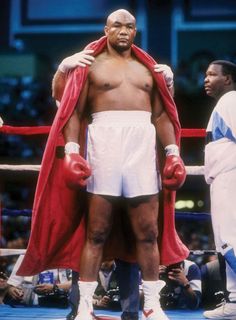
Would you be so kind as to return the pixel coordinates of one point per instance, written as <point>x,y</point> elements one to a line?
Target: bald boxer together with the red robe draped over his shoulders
<point>111,104</point>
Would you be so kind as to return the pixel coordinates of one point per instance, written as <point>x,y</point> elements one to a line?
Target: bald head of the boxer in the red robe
<point>120,30</point>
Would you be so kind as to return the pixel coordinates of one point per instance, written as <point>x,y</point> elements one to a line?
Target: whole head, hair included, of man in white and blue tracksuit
<point>220,78</point>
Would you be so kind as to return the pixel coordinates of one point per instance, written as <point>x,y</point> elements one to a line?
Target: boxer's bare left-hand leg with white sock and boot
<point>99,225</point>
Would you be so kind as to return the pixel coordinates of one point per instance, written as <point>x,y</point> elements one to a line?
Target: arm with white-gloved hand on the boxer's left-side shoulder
<point>81,59</point>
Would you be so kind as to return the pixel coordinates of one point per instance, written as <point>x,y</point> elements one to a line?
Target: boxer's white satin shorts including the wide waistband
<point>121,150</point>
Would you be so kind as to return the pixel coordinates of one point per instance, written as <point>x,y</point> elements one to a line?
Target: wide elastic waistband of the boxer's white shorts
<point>123,116</point>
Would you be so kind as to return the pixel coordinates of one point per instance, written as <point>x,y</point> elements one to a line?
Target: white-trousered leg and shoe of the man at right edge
<point>224,227</point>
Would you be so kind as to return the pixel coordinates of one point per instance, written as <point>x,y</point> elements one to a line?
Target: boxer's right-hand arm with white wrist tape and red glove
<point>174,173</point>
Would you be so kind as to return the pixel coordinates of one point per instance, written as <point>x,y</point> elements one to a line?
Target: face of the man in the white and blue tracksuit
<point>215,81</point>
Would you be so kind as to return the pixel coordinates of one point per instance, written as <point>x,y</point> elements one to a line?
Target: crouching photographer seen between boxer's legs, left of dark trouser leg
<point>106,295</point>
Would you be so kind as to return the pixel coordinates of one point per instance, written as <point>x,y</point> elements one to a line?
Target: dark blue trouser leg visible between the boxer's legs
<point>128,278</point>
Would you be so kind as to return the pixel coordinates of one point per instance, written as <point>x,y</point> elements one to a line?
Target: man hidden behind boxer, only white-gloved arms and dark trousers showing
<point>128,275</point>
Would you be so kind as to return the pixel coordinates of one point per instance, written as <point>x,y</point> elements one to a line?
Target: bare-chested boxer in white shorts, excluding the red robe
<point>121,160</point>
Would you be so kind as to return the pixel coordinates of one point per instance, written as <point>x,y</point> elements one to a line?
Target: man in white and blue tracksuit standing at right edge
<point>220,173</point>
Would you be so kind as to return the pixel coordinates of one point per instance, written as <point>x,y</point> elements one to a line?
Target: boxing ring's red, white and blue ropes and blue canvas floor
<point>30,313</point>
